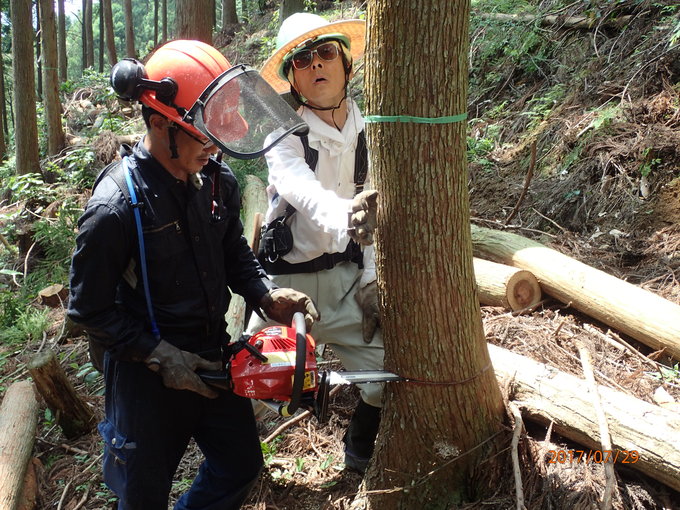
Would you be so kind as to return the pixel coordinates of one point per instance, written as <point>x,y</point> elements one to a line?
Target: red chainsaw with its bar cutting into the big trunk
<point>278,366</point>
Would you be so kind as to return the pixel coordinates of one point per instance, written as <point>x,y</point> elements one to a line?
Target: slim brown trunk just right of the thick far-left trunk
<point>55,131</point>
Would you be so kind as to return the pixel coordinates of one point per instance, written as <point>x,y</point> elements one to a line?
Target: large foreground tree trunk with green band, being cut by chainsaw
<point>432,435</point>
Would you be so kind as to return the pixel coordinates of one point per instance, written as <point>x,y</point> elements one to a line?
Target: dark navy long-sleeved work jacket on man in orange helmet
<point>192,257</point>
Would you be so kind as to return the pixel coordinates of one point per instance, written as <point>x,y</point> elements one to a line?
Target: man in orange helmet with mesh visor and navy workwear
<point>159,246</point>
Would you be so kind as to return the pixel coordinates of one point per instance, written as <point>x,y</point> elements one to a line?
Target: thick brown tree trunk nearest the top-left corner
<point>25,127</point>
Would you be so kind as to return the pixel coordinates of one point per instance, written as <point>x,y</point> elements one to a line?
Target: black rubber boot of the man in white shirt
<point>360,437</point>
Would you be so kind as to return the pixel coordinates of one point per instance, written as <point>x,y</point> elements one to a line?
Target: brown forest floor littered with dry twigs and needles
<point>603,210</point>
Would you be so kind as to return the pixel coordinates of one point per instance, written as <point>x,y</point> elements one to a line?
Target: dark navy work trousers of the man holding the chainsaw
<point>147,429</point>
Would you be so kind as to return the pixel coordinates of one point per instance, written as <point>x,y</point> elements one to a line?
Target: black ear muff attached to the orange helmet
<point>129,80</point>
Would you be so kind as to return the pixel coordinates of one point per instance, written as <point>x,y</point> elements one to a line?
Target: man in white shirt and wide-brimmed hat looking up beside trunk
<point>316,183</point>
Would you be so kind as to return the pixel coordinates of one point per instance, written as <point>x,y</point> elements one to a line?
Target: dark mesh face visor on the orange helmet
<point>243,115</point>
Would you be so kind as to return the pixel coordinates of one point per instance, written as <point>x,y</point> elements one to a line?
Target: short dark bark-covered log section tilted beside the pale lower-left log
<point>74,416</point>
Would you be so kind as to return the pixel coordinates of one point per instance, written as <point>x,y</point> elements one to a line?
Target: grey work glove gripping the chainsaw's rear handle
<point>178,368</point>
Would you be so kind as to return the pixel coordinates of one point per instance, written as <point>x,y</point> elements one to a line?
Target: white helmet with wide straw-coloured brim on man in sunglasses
<point>300,28</point>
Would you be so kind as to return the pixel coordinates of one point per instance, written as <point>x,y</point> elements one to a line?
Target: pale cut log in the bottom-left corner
<point>18,422</point>
